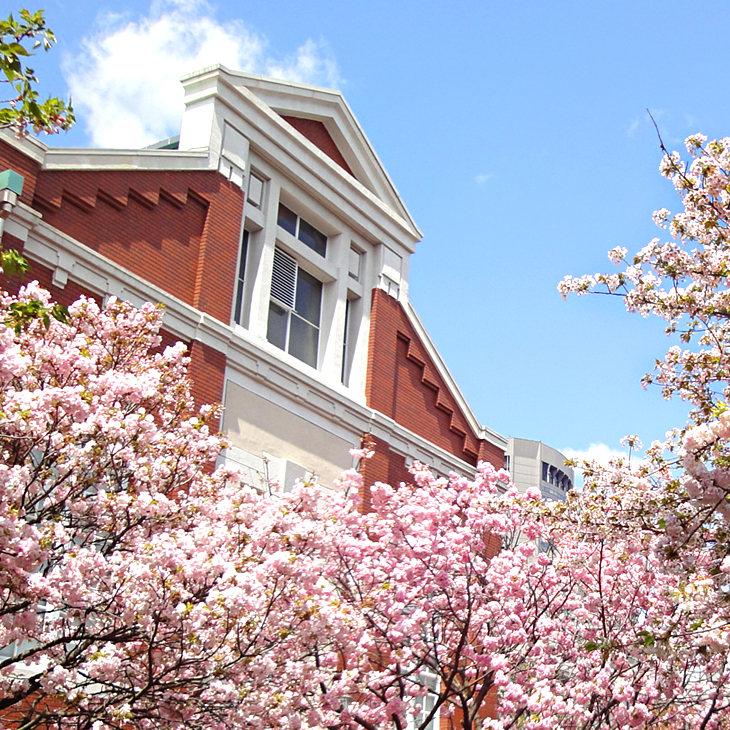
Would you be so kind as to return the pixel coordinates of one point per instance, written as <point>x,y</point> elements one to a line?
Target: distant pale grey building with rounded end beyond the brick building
<point>533,464</point>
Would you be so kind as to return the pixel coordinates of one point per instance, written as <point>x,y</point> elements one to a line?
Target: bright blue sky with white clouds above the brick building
<point>518,136</point>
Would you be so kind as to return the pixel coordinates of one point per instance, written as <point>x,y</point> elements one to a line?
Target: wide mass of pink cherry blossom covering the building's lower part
<point>138,589</point>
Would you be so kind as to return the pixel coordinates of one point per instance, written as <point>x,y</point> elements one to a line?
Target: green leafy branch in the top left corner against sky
<point>24,108</point>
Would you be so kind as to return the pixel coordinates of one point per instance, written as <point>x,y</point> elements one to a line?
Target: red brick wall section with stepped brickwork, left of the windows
<point>180,230</point>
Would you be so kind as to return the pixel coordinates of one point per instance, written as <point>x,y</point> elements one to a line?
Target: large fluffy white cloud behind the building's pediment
<point>125,80</point>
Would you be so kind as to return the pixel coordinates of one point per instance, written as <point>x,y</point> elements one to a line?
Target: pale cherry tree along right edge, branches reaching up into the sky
<point>680,493</point>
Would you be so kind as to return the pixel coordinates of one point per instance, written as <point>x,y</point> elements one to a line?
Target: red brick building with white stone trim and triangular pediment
<point>280,248</point>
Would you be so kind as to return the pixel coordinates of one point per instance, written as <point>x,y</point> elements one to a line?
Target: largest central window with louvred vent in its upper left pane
<point>294,309</point>
